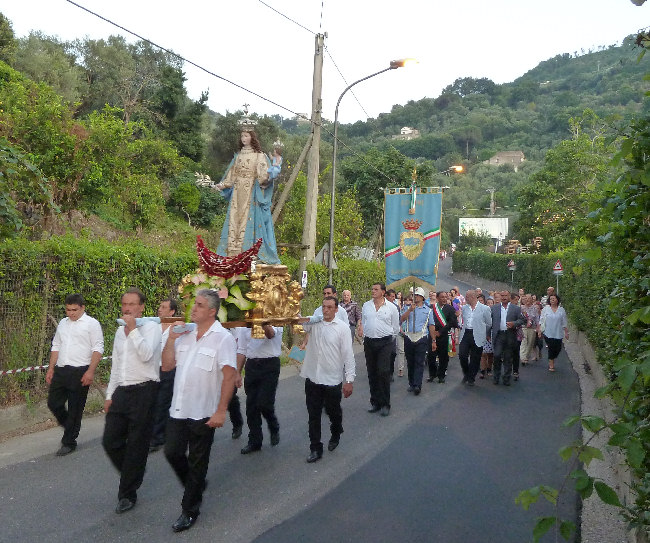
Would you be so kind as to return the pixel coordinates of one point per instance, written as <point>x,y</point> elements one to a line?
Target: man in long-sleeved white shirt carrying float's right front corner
<point>328,361</point>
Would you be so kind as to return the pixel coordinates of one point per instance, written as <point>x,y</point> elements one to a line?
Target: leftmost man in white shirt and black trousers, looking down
<point>77,348</point>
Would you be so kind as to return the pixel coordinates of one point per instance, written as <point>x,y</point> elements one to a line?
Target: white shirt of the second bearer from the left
<point>136,357</point>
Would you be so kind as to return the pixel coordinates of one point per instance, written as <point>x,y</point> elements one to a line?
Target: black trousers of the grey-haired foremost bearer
<point>187,450</point>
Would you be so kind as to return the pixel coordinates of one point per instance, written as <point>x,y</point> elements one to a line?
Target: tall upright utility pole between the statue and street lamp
<point>309,229</point>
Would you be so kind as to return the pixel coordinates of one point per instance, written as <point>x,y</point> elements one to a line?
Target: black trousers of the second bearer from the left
<point>127,434</point>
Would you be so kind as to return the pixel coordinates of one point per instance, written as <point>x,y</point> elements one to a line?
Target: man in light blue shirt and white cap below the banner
<point>417,318</point>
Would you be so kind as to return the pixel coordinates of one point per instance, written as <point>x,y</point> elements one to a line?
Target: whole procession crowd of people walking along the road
<point>172,384</point>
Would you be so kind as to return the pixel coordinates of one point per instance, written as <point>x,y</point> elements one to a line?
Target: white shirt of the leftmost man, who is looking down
<point>76,341</point>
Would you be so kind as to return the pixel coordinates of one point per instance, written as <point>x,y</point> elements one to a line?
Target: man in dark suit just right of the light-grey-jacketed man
<point>506,317</point>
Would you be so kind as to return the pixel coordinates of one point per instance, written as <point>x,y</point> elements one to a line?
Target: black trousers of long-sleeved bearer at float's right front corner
<point>318,397</point>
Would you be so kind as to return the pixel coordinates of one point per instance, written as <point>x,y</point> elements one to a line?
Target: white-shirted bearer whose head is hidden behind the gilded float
<point>261,359</point>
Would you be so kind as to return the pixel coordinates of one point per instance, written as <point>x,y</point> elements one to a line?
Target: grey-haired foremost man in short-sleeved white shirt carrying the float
<point>205,362</point>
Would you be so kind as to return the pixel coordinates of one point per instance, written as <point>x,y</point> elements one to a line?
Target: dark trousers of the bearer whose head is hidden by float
<point>260,384</point>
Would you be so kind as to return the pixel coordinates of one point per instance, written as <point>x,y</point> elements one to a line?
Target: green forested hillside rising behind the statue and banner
<point>99,137</point>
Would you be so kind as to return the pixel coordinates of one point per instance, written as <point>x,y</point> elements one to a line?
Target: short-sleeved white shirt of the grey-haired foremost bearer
<point>199,365</point>
